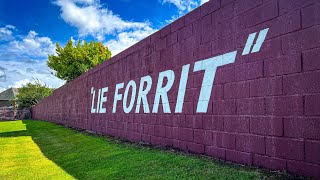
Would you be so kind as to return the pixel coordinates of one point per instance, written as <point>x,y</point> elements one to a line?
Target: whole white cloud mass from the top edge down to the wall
<point>91,18</point>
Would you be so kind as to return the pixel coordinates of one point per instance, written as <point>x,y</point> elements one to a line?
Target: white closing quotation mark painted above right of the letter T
<point>250,41</point>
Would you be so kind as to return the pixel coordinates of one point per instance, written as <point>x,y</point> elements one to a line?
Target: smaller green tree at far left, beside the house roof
<point>32,93</point>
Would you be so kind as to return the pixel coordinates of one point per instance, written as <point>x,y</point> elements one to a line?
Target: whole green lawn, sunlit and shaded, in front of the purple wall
<point>42,150</point>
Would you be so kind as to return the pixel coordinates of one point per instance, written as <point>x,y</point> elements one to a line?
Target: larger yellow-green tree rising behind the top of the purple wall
<point>73,60</point>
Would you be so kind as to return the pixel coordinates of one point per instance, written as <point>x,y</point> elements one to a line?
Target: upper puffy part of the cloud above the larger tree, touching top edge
<point>91,18</point>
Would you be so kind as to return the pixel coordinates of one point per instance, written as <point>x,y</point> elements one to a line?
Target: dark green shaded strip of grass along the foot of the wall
<point>94,157</point>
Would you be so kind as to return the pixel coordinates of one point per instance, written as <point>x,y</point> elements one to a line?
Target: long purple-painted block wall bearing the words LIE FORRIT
<point>237,80</point>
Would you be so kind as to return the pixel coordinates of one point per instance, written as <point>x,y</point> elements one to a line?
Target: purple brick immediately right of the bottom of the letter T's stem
<point>224,107</point>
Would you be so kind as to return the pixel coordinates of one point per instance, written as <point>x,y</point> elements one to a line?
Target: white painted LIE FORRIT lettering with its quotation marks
<point>166,80</point>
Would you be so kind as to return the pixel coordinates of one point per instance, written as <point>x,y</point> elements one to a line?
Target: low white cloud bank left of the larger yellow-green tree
<point>23,58</point>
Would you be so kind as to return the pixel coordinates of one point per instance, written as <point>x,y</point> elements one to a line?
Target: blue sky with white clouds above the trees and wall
<point>30,29</point>
